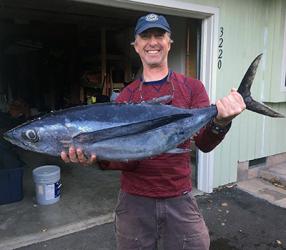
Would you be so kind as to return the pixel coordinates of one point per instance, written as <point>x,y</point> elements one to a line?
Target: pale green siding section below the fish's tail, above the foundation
<point>252,136</point>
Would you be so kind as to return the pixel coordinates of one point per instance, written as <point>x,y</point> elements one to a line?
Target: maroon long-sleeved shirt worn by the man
<point>166,175</point>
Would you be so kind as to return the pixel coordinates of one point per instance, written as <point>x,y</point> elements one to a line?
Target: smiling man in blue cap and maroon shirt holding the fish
<point>155,205</point>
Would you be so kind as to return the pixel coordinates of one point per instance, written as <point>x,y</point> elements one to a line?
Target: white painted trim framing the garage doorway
<point>209,16</point>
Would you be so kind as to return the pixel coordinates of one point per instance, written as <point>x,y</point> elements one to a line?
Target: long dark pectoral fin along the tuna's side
<point>129,129</point>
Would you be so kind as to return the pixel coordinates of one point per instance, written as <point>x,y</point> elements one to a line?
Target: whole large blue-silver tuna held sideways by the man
<point>121,132</point>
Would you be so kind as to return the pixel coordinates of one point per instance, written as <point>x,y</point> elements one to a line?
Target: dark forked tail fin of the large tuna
<point>244,90</point>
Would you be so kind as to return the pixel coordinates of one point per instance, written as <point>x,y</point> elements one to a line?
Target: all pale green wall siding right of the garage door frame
<point>250,28</point>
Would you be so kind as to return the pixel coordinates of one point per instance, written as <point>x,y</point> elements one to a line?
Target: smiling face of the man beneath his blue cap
<point>153,46</point>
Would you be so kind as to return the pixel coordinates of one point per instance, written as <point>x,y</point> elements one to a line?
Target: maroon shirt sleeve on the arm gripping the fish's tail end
<point>206,140</point>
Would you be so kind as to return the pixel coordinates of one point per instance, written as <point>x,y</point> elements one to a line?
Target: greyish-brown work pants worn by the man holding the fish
<point>144,223</point>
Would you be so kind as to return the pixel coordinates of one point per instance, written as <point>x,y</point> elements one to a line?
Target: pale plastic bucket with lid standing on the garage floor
<point>48,185</point>
